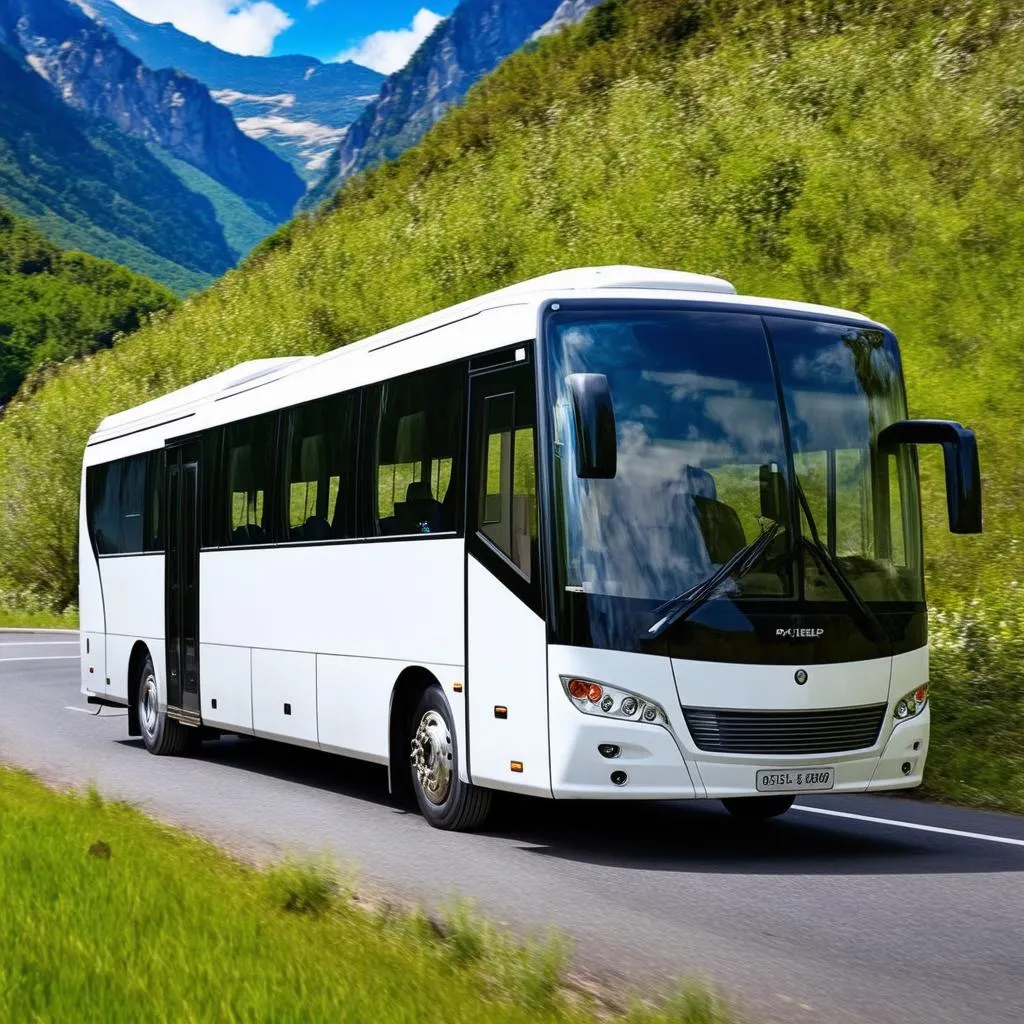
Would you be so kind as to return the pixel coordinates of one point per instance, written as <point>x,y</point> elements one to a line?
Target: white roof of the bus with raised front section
<point>519,306</point>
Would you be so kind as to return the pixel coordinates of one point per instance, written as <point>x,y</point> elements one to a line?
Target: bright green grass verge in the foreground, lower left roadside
<point>110,917</point>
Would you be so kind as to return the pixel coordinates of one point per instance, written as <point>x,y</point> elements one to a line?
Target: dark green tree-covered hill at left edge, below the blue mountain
<point>57,305</point>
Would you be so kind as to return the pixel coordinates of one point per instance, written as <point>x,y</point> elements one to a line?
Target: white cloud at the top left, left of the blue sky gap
<point>238,26</point>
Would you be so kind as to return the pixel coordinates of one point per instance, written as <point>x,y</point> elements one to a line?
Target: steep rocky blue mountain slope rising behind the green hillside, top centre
<point>461,51</point>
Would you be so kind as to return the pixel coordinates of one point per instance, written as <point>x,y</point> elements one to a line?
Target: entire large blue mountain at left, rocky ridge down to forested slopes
<point>130,164</point>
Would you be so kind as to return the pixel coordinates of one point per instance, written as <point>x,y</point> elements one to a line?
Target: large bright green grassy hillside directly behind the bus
<point>847,152</point>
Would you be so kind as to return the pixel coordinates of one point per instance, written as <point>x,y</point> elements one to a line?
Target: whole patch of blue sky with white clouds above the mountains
<point>382,34</point>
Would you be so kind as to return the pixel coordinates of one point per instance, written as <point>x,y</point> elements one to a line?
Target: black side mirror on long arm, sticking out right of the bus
<point>960,450</point>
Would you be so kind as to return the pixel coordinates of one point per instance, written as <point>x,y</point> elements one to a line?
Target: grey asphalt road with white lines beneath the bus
<point>815,917</point>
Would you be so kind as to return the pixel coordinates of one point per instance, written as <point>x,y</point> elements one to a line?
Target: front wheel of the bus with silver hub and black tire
<point>445,801</point>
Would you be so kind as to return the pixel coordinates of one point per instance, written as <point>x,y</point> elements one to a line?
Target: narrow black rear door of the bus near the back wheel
<point>182,581</point>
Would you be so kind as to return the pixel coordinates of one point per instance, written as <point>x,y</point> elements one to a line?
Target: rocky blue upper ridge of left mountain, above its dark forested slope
<point>95,74</point>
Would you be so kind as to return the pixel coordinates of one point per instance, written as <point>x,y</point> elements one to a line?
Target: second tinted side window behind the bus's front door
<point>319,456</point>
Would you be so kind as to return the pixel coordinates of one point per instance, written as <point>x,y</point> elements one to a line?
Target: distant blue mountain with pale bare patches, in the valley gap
<point>295,105</point>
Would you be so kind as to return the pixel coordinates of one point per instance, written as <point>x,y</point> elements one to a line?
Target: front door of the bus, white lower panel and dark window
<point>506,675</point>
